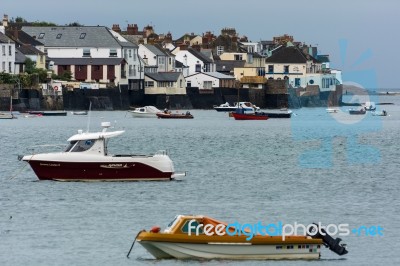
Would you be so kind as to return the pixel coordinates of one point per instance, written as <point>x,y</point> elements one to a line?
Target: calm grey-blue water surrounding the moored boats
<point>313,167</point>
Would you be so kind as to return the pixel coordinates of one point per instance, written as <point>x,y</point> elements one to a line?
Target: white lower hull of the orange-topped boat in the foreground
<point>234,251</point>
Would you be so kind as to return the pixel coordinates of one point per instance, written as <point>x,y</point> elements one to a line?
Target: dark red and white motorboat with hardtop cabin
<point>86,159</point>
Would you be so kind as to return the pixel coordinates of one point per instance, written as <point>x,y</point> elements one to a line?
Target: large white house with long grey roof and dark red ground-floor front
<point>91,54</point>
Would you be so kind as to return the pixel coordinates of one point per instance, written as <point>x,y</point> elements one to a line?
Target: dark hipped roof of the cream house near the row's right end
<point>289,55</point>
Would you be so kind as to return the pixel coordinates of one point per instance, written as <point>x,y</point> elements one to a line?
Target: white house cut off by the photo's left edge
<point>7,54</point>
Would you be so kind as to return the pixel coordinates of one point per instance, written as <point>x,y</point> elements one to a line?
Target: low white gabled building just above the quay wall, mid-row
<point>210,80</point>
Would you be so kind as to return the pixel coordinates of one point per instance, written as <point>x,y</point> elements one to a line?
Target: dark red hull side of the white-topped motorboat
<point>85,171</point>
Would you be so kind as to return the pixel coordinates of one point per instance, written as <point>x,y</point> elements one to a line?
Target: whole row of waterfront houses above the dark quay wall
<point>157,64</point>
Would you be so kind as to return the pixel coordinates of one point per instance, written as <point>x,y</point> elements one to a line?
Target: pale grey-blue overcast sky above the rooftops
<point>361,36</point>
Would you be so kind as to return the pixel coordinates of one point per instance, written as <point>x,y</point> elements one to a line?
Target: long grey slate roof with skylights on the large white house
<point>73,36</point>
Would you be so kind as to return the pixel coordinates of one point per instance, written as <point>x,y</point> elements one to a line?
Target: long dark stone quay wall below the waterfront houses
<point>122,98</point>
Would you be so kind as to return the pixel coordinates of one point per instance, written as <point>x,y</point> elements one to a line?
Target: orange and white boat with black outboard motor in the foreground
<point>185,238</point>
